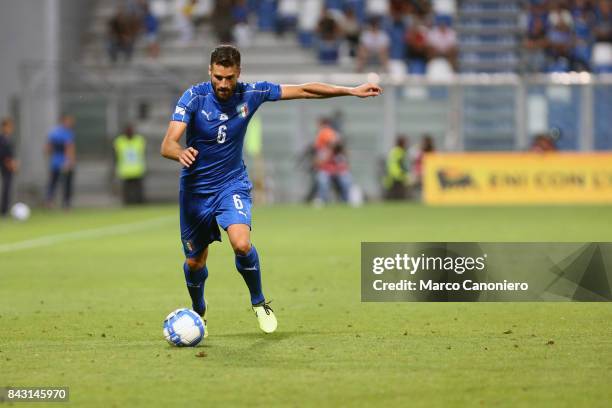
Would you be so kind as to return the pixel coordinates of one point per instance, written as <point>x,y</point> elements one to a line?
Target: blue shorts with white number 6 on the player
<point>202,214</point>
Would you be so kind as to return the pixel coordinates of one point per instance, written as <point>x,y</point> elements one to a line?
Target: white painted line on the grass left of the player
<point>117,229</point>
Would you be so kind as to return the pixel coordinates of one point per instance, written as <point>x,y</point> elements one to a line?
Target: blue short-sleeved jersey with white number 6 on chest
<point>216,130</point>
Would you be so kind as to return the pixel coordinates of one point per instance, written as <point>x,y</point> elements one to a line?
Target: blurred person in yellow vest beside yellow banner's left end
<point>397,171</point>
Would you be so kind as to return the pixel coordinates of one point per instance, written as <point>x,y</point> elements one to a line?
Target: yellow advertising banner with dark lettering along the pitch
<point>517,178</point>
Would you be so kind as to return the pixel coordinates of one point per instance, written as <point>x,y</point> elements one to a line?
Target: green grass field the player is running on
<point>85,310</point>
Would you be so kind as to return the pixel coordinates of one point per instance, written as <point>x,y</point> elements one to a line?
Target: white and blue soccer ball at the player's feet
<point>184,328</point>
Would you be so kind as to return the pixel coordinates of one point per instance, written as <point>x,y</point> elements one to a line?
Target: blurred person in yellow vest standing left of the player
<point>130,165</point>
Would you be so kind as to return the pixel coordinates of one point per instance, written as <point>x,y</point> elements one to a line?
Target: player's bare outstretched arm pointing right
<point>317,90</point>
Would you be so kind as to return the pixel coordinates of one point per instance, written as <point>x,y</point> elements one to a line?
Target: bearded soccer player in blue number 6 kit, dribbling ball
<point>214,184</point>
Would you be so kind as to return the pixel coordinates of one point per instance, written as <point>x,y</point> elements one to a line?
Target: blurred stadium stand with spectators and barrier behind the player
<point>280,41</point>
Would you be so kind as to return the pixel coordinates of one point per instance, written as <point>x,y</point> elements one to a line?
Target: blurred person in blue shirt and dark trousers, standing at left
<point>61,152</point>
